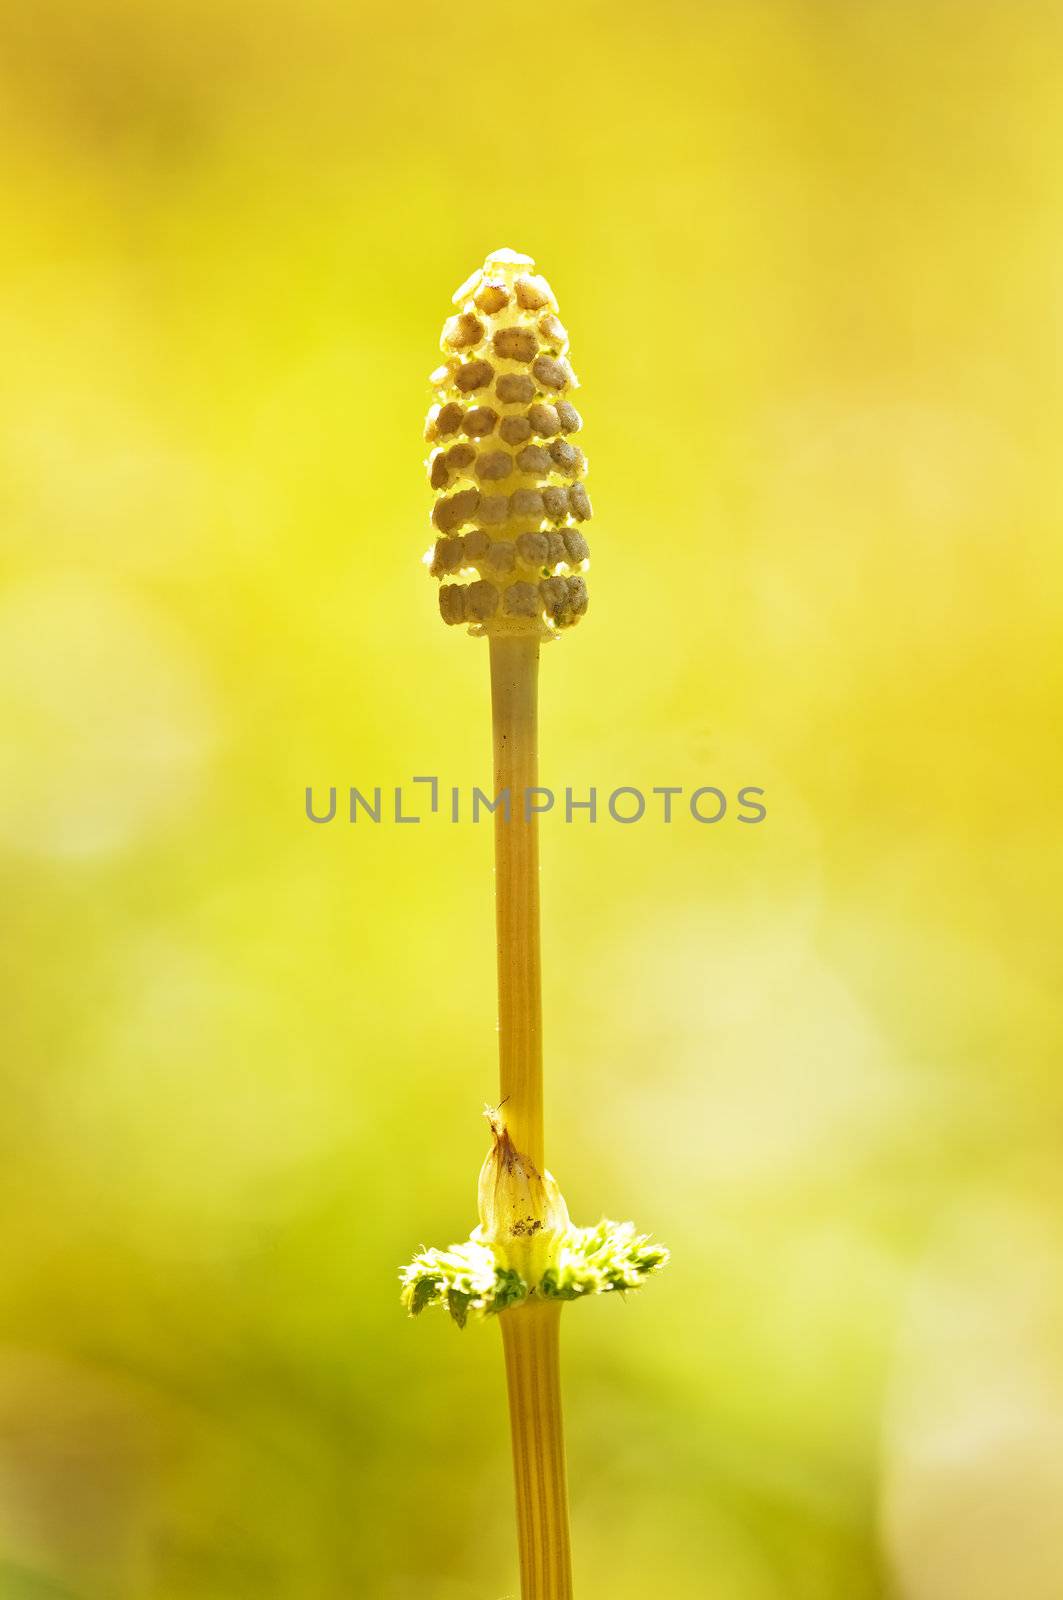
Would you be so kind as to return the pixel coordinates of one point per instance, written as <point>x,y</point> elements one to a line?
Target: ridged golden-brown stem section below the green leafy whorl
<point>539,1449</point>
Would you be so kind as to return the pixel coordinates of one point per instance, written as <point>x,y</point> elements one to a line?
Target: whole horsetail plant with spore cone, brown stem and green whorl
<point>511,559</point>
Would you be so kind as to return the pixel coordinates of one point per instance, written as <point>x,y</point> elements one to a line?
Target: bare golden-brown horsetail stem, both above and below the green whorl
<point>531,1332</point>
